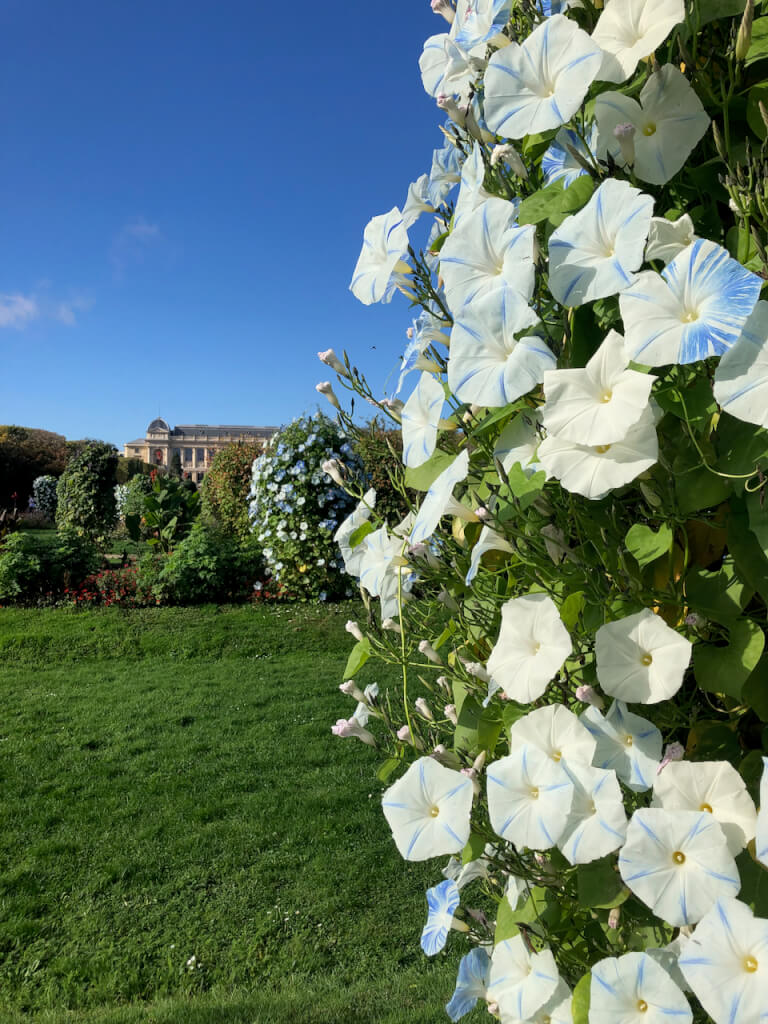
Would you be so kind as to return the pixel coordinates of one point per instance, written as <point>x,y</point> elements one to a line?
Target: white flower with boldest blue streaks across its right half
<point>697,308</point>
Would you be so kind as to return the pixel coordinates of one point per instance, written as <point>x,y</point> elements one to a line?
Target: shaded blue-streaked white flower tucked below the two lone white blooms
<point>626,743</point>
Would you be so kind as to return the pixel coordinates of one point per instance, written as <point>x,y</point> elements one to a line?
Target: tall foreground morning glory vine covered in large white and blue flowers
<point>578,606</point>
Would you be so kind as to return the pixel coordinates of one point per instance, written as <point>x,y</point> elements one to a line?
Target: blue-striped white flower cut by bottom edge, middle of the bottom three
<point>634,990</point>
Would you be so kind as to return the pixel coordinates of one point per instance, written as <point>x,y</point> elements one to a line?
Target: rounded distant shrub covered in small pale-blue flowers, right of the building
<point>296,507</point>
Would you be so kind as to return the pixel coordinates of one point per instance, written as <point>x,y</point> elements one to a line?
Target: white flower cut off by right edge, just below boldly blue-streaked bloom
<point>742,376</point>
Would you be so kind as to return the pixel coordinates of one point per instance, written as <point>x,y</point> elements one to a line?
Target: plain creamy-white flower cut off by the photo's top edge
<point>629,30</point>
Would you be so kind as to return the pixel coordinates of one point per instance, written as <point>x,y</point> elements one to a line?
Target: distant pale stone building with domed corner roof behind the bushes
<point>196,444</point>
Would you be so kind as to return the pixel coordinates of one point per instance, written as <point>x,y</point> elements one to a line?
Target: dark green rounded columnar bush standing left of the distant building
<point>87,492</point>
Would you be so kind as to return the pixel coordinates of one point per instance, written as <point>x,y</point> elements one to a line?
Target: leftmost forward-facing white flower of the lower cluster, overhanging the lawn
<point>429,810</point>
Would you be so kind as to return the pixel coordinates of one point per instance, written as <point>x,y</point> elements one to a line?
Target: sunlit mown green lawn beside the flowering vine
<point>172,789</point>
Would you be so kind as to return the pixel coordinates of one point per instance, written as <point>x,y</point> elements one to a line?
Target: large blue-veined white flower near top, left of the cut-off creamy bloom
<point>540,84</point>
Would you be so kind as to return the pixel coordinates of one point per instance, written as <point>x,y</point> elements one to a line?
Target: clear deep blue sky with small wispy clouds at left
<point>184,193</point>
